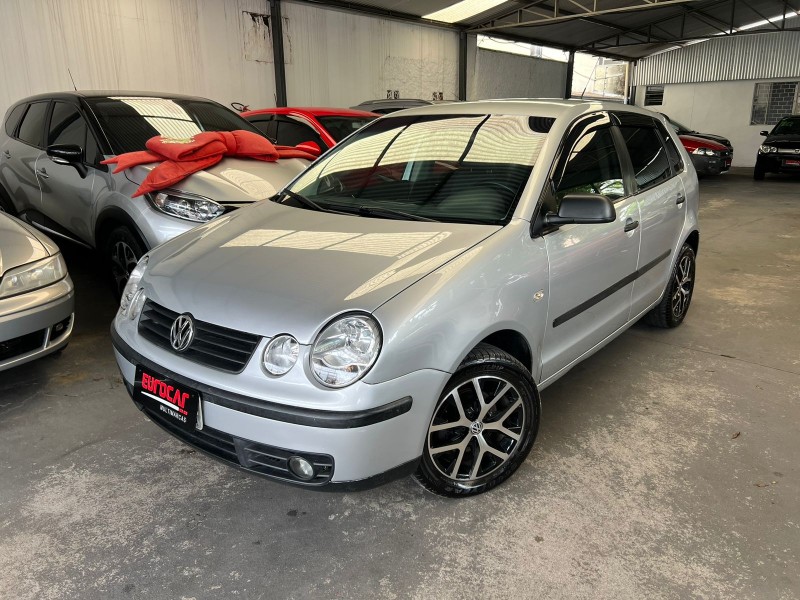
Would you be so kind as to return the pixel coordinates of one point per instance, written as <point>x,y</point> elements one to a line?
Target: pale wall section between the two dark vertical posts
<point>336,58</point>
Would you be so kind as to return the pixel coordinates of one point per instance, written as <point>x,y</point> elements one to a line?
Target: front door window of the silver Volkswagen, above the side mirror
<point>593,167</point>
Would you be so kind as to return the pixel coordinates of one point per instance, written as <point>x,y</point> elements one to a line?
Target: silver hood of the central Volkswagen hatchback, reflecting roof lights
<point>270,269</point>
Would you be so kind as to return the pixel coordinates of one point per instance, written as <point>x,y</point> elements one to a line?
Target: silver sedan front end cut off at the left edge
<point>37,299</point>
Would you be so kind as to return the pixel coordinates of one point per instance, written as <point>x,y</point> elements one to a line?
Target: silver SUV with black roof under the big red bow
<point>51,148</point>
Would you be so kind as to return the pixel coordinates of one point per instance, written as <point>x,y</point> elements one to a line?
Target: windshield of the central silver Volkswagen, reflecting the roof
<point>455,168</point>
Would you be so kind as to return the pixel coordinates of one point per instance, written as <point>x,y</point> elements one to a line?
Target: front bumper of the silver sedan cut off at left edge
<point>35,324</point>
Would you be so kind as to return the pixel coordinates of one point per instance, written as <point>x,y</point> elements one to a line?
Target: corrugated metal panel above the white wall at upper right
<point>757,56</point>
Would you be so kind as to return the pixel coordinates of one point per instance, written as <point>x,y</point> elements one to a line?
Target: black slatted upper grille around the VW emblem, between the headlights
<point>213,346</point>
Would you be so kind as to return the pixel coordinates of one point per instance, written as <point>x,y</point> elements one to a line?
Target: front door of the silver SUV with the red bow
<point>67,194</point>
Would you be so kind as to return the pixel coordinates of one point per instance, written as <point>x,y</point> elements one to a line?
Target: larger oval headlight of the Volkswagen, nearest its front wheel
<point>345,350</point>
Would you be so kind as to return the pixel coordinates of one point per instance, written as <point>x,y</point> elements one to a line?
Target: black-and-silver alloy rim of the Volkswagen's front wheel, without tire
<point>476,428</point>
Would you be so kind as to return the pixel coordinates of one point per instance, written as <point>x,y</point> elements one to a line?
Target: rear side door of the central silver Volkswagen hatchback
<point>656,164</point>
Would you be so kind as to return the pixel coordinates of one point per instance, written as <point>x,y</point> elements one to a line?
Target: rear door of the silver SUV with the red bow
<point>20,154</point>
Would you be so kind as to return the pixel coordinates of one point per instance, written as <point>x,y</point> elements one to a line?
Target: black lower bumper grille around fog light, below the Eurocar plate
<point>252,456</point>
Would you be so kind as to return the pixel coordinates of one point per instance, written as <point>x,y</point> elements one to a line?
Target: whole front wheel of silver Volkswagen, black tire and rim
<point>514,410</point>
